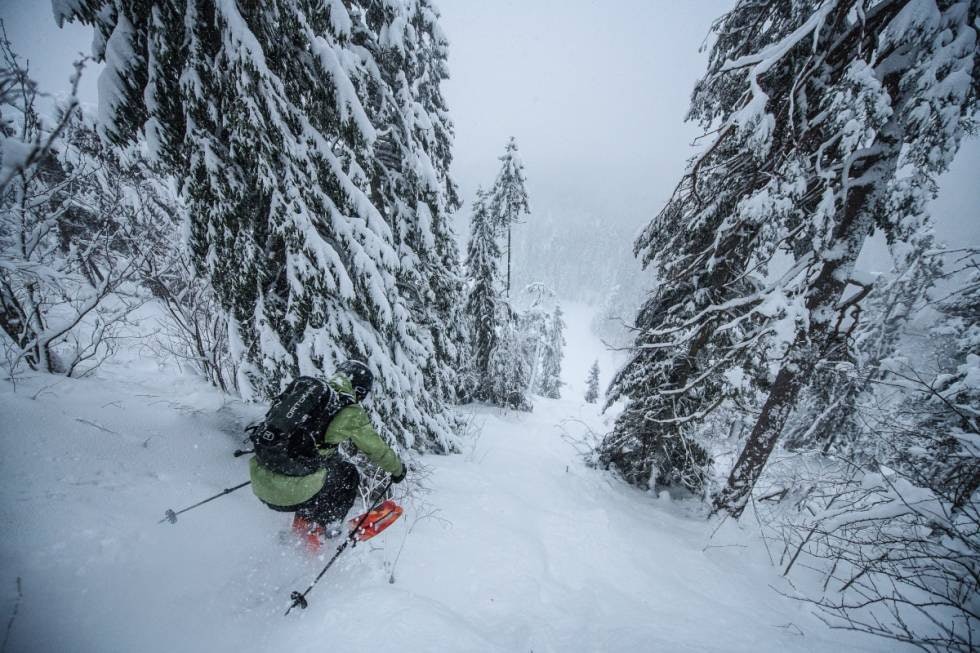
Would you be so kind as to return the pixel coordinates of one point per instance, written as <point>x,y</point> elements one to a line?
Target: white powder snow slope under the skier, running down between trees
<point>515,545</point>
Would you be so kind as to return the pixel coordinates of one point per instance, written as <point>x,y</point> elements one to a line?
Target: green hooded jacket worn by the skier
<point>351,423</point>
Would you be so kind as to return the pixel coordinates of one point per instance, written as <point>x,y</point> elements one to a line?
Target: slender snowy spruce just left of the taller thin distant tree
<point>482,298</point>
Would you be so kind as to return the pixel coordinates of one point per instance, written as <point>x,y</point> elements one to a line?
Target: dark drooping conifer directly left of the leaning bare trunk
<point>696,324</point>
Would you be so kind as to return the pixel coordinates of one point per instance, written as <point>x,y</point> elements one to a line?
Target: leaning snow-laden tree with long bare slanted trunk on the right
<point>868,102</point>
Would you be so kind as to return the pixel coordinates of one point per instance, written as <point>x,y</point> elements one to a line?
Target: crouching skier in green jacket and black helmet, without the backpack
<point>323,498</point>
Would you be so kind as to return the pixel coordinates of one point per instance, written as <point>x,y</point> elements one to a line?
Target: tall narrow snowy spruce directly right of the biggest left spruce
<point>411,182</point>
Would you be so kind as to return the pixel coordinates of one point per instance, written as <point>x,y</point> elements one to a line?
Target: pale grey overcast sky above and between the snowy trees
<point>594,91</point>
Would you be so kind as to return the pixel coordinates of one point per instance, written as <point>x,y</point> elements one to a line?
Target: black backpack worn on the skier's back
<point>285,440</point>
